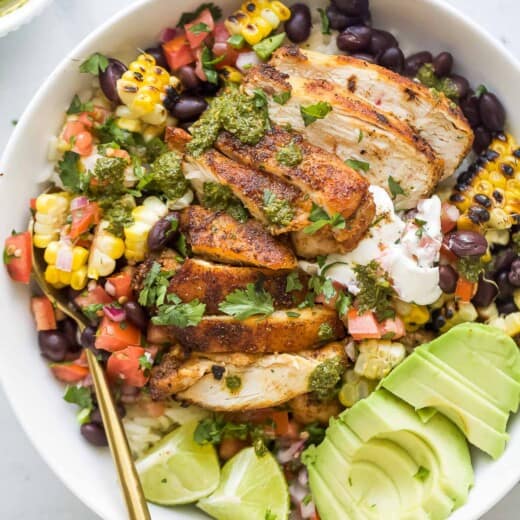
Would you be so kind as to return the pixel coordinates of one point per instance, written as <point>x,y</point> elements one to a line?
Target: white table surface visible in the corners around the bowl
<point>28,489</point>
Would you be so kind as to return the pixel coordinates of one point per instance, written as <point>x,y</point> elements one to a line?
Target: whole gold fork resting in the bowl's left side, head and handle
<point>128,478</point>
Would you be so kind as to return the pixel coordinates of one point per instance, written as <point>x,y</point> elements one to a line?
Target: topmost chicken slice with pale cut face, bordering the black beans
<point>436,119</point>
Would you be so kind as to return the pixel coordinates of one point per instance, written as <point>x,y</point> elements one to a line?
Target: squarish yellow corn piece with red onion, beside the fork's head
<point>75,257</point>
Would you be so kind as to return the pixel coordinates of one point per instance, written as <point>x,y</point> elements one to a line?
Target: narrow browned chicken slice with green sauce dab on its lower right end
<point>248,185</point>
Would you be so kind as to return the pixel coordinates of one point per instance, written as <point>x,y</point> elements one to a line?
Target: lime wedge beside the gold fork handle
<point>177,470</point>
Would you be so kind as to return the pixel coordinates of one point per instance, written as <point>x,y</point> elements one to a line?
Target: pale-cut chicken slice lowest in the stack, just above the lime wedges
<point>264,380</point>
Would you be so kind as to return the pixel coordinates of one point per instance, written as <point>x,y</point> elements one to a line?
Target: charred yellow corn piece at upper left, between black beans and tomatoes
<point>142,88</point>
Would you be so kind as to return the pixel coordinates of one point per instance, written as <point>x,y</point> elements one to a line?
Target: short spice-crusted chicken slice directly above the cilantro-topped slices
<point>218,236</point>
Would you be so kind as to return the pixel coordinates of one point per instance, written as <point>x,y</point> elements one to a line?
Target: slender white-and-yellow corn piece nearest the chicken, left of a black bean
<point>136,235</point>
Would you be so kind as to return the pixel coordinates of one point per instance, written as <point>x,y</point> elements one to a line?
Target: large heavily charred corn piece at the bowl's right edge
<point>488,193</point>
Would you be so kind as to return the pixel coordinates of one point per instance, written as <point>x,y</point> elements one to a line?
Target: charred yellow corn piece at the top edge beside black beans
<point>257,19</point>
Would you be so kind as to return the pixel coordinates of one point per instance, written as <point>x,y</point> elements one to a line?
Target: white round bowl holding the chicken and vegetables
<point>35,396</point>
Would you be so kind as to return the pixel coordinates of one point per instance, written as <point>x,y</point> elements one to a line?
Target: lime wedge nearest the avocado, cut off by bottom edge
<point>251,487</point>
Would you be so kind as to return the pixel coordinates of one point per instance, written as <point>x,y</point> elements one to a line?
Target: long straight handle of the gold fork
<point>128,478</point>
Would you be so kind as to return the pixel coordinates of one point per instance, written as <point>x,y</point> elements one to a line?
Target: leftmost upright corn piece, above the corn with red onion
<point>50,217</point>
